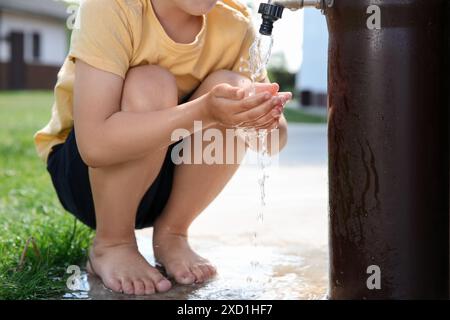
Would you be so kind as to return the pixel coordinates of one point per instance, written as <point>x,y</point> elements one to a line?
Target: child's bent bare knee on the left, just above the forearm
<point>147,88</point>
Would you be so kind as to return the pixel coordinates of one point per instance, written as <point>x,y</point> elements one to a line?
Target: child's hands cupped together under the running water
<point>230,107</point>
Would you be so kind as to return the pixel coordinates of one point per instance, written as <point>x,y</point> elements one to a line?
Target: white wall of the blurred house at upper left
<point>53,37</point>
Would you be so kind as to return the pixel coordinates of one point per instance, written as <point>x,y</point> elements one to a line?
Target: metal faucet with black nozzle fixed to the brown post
<point>273,10</point>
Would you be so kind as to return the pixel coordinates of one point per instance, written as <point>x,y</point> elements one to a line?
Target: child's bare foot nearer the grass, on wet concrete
<point>123,269</point>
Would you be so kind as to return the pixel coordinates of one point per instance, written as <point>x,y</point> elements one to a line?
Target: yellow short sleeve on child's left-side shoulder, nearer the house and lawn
<point>101,37</point>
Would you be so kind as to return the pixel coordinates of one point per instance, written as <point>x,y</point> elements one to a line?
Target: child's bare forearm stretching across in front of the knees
<point>126,136</point>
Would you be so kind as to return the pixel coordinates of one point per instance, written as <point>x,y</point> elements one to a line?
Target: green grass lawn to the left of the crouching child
<point>30,208</point>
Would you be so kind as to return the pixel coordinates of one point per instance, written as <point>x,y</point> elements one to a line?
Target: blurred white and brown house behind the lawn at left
<point>33,43</point>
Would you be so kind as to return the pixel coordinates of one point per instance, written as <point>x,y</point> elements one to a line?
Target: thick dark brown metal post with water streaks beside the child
<point>388,151</point>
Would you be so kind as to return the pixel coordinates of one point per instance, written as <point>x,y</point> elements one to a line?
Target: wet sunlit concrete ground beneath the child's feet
<point>291,248</point>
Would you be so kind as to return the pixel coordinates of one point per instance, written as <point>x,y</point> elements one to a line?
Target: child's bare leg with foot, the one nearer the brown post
<point>194,188</point>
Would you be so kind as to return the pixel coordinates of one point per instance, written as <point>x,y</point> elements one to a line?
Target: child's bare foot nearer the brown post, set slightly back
<point>179,260</point>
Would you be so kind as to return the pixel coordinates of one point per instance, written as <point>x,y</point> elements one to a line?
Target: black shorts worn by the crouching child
<point>71,181</point>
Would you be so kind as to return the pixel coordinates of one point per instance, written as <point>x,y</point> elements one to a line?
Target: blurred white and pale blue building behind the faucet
<point>301,47</point>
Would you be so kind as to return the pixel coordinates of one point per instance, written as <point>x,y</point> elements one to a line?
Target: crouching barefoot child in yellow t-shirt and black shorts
<point>137,70</point>
